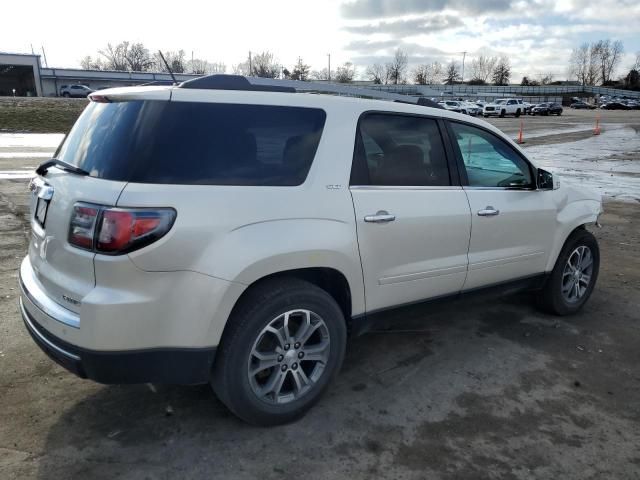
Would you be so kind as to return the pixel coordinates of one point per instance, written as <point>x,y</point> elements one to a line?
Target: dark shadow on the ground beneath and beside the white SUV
<point>158,431</point>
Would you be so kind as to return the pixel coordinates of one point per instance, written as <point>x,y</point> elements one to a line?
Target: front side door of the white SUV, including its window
<point>512,223</point>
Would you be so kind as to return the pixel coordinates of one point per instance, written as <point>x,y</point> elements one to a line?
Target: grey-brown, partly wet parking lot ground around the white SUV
<point>482,388</point>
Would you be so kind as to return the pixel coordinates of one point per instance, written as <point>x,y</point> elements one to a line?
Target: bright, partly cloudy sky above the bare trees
<point>537,35</point>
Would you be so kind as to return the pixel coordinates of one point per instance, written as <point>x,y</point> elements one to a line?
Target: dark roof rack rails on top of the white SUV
<point>239,82</point>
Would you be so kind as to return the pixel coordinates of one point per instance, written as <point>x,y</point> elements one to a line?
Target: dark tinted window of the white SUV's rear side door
<point>399,150</point>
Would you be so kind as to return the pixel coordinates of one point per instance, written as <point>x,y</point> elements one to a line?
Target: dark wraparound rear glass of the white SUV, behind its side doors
<point>195,143</point>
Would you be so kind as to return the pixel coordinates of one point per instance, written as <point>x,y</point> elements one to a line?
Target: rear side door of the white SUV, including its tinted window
<point>413,222</point>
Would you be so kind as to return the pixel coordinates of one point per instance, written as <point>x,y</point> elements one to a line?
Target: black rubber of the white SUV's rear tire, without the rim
<point>257,309</point>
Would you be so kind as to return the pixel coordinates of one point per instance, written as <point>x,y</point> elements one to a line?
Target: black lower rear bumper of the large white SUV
<point>185,366</point>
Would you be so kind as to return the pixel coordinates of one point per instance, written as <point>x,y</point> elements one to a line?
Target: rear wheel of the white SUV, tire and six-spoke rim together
<point>283,345</point>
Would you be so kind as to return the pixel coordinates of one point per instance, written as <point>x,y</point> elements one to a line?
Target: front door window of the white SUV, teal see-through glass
<point>489,161</point>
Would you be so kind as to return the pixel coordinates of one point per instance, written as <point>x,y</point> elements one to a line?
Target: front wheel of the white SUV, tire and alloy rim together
<point>573,277</point>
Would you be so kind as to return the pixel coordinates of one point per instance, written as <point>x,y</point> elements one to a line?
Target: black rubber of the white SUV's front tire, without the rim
<point>550,298</point>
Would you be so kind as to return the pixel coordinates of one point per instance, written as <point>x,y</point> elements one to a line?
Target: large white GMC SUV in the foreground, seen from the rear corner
<point>220,231</point>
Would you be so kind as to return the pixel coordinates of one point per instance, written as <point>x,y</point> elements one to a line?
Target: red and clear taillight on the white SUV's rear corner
<point>115,231</point>
